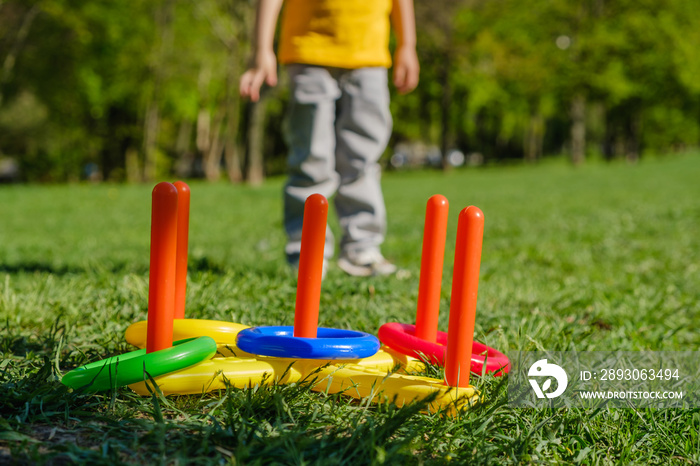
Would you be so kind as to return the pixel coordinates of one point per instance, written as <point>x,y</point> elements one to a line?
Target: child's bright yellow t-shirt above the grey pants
<point>339,33</point>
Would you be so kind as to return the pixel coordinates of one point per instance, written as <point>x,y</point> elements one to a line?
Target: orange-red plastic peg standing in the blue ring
<point>313,239</point>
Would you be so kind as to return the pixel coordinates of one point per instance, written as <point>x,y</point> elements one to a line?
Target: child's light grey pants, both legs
<point>338,125</point>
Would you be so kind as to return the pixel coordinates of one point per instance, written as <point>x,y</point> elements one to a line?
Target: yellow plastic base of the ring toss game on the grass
<point>359,378</point>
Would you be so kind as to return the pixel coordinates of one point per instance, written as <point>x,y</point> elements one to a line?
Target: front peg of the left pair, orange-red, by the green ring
<point>161,281</point>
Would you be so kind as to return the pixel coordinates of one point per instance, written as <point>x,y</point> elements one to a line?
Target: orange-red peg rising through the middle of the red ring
<point>432,258</point>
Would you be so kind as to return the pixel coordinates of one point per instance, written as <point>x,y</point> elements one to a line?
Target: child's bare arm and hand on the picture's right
<point>406,67</point>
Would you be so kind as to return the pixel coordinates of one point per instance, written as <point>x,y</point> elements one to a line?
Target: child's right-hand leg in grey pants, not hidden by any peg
<point>363,127</point>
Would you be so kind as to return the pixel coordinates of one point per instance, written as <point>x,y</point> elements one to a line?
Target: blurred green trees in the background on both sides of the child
<point>80,80</point>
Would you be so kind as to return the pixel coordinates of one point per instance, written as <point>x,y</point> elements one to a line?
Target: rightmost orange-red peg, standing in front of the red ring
<point>465,286</point>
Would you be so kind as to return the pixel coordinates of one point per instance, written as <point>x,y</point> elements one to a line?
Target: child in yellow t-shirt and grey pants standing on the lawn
<point>338,120</point>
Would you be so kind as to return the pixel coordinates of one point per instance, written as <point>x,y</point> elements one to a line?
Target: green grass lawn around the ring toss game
<point>604,257</point>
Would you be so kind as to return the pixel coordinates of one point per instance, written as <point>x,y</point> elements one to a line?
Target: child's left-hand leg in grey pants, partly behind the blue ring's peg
<point>311,140</point>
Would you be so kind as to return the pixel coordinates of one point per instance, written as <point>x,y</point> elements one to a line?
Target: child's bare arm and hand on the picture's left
<point>264,63</point>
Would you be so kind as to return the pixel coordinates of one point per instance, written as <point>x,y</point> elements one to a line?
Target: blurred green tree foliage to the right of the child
<point>515,62</point>
